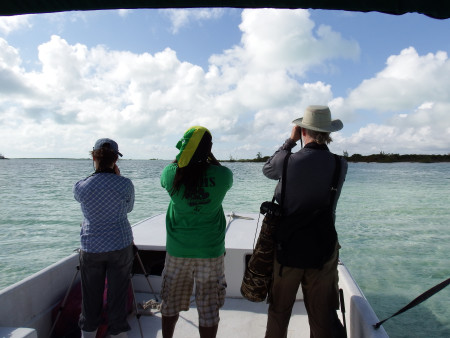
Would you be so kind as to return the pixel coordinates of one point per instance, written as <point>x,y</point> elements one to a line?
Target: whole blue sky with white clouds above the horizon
<point>143,77</point>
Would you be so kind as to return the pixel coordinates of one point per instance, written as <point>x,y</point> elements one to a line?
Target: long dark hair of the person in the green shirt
<point>194,173</point>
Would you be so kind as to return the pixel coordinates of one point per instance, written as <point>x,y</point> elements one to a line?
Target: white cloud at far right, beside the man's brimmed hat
<point>411,92</point>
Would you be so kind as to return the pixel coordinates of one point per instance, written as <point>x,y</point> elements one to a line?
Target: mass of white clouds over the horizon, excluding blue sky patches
<point>247,97</point>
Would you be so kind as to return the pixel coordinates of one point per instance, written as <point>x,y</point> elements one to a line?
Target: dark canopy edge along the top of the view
<point>432,8</point>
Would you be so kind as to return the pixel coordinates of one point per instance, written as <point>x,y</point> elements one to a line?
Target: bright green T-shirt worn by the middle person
<point>196,226</point>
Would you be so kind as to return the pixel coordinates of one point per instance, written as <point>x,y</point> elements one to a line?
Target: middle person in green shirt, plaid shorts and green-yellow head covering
<point>195,226</point>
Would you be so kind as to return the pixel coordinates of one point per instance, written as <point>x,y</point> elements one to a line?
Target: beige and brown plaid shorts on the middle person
<point>210,287</point>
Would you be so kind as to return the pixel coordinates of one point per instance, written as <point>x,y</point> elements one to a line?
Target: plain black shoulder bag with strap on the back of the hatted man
<point>307,239</point>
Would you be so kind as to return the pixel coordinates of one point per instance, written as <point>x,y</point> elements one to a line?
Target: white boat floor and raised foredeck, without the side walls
<point>239,317</point>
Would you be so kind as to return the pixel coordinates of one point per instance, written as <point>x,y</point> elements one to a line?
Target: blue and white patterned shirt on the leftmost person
<point>105,199</point>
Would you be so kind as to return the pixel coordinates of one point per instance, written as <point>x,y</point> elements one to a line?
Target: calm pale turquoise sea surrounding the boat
<point>392,220</point>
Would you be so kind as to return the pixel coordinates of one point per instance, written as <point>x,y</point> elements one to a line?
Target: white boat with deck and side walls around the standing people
<point>31,302</point>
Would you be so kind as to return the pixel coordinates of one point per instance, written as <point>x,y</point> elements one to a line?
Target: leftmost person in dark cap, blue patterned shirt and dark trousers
<point>106,241</point>
